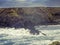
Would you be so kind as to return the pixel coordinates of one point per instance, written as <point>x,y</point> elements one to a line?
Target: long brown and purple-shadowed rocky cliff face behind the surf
<point>22,17</point>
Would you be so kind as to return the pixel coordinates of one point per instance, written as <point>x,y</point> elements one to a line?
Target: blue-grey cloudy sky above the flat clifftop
<point>29,3</point>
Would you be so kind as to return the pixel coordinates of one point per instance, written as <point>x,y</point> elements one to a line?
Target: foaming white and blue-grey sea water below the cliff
<point>12,36</point>
